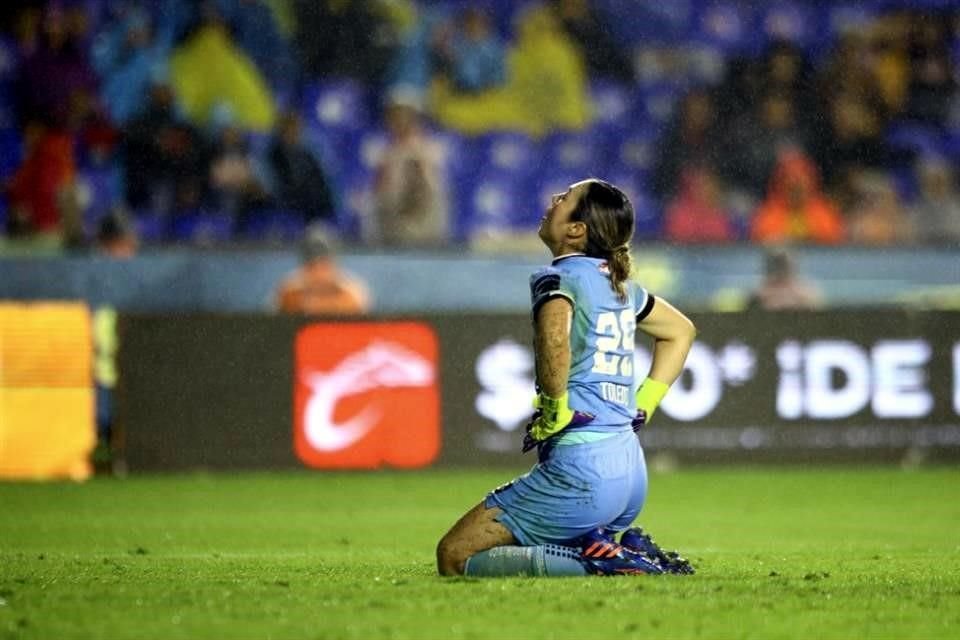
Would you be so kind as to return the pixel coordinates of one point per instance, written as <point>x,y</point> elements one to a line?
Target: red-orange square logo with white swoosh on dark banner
<point>366,395</point>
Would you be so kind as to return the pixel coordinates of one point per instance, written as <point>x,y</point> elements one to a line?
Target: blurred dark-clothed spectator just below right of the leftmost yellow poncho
<point>300,183</point>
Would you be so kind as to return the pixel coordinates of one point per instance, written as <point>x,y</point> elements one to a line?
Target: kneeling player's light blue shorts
<point>577,488</point>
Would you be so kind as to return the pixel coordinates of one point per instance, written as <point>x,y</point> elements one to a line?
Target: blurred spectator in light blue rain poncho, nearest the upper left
<point>129,55</point>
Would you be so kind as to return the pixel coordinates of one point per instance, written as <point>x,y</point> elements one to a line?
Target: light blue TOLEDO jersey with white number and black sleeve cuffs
<point>601,380</point>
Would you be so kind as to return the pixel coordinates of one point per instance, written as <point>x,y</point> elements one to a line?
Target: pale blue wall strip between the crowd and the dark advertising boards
<point>243,281</point>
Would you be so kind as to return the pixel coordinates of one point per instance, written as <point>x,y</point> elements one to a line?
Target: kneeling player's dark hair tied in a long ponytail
<point>608,214</point>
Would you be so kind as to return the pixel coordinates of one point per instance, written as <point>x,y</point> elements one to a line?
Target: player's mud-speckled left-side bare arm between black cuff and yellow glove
<point>552,346</point>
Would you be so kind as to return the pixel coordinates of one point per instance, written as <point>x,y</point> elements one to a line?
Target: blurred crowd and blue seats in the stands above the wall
<point>419,123</point>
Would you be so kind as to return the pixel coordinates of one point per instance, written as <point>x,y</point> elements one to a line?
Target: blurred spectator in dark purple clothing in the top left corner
<point>57,72</point>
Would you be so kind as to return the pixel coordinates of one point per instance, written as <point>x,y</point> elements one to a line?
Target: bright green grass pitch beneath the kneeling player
<point>780,554</point>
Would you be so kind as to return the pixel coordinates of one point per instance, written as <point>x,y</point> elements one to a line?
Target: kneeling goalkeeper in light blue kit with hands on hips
<point>591,479</point>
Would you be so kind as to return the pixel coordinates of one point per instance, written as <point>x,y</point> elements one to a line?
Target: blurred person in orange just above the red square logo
<point>318,286</point>
